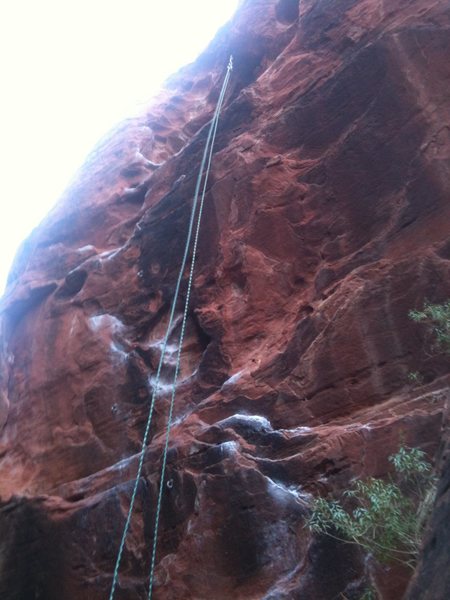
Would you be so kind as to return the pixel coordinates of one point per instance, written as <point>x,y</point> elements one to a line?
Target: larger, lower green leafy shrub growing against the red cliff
<point>384,517</point>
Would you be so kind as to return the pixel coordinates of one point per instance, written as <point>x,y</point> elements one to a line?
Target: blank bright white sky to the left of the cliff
<point>71,69</point>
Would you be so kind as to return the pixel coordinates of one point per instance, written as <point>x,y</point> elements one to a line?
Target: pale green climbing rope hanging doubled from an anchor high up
<point>206,160</point>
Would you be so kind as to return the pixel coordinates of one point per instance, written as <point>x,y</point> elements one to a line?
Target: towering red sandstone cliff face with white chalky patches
<point>326,220</point>
